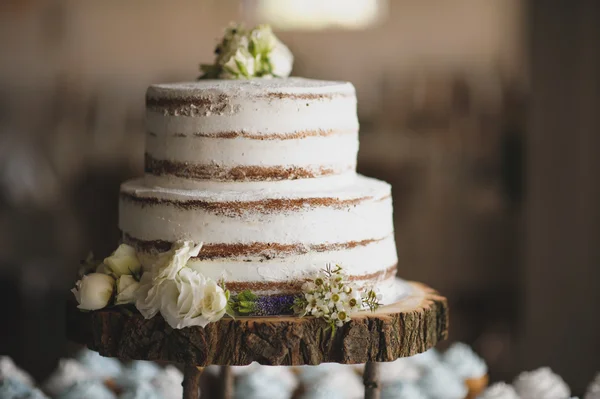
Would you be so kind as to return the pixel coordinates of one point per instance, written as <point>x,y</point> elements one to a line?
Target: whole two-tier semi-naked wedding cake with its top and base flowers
<point>250,203</point>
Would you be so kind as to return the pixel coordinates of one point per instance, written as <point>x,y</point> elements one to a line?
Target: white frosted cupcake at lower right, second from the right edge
<point>541,383</point>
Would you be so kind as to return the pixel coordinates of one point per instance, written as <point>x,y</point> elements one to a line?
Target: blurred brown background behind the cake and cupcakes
<point>484,115</point>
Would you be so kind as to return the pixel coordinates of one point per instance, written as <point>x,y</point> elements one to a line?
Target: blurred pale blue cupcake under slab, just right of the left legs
<point>264,382</point>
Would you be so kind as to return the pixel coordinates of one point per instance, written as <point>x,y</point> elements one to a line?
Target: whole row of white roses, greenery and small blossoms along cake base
<point>185,298</point>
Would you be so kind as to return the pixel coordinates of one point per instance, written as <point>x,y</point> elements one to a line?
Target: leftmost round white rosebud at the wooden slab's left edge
<point>94,291</point>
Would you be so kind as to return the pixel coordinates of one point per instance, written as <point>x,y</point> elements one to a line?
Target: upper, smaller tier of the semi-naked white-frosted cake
<point>251,130</point>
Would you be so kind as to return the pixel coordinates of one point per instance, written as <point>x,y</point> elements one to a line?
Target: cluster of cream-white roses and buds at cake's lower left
<point>180,294</point>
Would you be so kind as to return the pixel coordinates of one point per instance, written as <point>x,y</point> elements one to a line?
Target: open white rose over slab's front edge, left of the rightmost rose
<point>181,299</point>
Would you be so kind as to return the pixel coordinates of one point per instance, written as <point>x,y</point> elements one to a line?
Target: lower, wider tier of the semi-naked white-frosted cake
<point>268,240</point>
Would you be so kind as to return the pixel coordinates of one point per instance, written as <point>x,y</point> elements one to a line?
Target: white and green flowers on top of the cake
<point>245,54</point>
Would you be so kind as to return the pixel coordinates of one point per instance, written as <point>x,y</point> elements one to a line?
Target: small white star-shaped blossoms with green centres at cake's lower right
<point>333,297</point>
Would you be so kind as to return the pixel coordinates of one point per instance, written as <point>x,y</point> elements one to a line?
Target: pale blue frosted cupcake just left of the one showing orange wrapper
<point>439,382</point>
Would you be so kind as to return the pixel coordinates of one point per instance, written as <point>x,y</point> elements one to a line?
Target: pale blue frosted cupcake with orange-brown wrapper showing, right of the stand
<point>470,367</point>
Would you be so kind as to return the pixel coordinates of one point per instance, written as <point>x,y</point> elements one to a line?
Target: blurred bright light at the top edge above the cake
<point>319,14</point>
